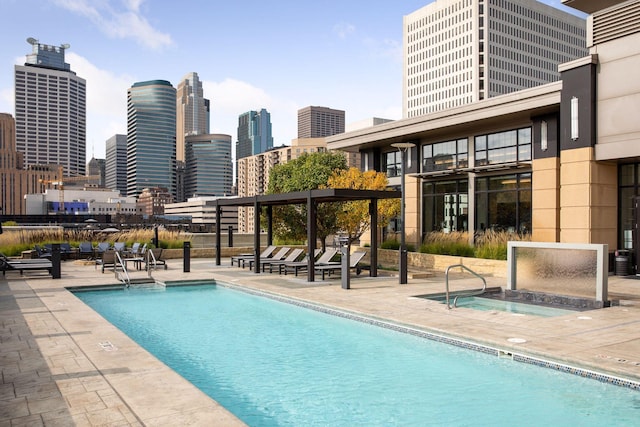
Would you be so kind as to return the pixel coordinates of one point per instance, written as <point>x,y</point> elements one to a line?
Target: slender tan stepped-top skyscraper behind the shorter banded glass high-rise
<point>192,112</point>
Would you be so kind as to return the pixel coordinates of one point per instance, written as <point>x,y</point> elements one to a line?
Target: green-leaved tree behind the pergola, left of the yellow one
<point>307,172</point>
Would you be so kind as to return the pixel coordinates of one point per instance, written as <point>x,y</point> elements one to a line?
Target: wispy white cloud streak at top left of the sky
<point>123,24</point>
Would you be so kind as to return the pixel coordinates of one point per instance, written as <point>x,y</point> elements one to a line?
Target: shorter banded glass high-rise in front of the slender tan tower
<point>208,165</point>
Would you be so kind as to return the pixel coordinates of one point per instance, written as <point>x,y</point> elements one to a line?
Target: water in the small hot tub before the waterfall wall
<point>489,304</point>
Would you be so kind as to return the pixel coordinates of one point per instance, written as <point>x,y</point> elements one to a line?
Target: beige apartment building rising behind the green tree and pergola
<point>253,172</point>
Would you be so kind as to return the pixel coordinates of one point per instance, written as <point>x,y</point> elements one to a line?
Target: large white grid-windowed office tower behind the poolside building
<point>460,51</point>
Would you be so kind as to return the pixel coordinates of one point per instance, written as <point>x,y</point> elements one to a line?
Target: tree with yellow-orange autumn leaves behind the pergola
<point>354,219</point>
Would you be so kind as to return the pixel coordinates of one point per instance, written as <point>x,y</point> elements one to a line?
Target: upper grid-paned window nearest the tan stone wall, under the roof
<point>503,147</point>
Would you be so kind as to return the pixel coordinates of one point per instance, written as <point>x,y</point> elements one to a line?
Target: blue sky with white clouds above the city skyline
<point>281,55</point>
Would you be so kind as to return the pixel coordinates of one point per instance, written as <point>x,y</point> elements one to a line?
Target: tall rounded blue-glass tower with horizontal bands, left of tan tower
<point>151,136</point>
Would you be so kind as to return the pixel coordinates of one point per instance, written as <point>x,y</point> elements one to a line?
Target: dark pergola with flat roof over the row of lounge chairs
<point>311,198</point>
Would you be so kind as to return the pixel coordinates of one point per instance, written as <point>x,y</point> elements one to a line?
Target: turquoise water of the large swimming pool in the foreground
<point>277,364</point>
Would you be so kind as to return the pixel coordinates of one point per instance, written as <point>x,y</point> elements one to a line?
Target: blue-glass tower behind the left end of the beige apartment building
<point>254,133</point>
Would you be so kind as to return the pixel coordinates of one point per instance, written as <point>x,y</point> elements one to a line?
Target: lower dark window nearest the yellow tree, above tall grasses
<point>445,206</point>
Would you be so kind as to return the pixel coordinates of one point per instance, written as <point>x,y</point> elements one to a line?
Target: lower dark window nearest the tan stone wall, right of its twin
<point>503,203</point>
